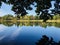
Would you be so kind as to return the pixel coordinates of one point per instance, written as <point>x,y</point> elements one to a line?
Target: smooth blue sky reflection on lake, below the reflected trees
<point>27,35</point>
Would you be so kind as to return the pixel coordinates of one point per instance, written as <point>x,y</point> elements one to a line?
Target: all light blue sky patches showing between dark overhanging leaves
<point>6,9</point>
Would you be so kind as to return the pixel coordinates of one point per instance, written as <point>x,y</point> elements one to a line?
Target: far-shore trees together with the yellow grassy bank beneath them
<point>31,18</point>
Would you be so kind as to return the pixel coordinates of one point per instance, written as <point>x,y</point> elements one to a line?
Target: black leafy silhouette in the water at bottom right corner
<point>47,41</point>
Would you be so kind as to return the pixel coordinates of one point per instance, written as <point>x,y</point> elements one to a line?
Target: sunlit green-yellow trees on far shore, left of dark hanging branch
<point>26,17</point>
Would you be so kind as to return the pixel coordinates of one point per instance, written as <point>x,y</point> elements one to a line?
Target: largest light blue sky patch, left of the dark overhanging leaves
<point>5,9</point>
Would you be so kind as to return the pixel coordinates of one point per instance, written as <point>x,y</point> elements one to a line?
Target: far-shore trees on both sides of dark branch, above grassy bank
<point>26,17</point>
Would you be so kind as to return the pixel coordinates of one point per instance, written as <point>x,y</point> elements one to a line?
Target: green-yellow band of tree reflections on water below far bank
<point>42,24</point>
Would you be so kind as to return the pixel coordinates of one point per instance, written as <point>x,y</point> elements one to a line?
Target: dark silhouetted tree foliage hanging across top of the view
<point>20,6</point>
